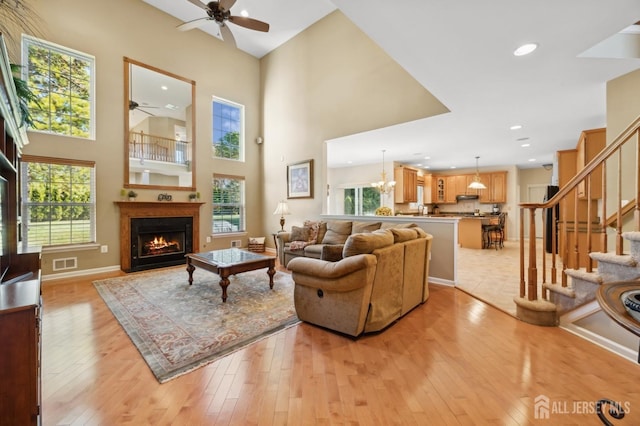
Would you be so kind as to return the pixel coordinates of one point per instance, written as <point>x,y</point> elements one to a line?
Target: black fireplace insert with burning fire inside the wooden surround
<point>158,242</point>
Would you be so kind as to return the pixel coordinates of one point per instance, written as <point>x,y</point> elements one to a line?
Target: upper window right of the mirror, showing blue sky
<point>228,129</point>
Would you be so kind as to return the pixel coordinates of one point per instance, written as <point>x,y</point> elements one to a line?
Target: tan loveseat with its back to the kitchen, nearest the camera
<point>383,275</point>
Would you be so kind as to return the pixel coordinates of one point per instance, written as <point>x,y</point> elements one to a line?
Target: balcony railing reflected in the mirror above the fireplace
<point>157,148</point>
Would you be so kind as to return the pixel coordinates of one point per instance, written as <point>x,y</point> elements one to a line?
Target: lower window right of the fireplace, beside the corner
<point>228,204</point>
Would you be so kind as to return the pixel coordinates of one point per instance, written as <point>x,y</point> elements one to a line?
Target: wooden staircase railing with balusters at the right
<point>576,231</point>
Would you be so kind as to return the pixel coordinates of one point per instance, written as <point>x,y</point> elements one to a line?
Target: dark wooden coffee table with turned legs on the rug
<point>230,262</point>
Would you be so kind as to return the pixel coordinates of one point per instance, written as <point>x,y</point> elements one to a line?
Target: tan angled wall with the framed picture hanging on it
<point>330,81</point>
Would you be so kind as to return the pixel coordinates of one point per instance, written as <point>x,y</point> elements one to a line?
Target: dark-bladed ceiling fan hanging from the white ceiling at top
<point>220,12</point>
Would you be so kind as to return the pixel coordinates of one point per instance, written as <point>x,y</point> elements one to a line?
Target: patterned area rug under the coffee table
<point>178,328</point>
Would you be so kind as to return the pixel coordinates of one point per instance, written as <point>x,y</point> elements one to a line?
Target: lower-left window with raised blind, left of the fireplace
<point>58,201</point>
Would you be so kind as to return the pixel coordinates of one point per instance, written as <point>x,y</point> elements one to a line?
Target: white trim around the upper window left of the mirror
<point>28,40</point>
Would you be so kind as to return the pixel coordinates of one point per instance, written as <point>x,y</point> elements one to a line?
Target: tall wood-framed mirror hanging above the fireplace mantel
<point>159,128</point>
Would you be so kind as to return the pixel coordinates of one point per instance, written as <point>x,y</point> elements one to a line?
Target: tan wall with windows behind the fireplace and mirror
<point>114,29</point>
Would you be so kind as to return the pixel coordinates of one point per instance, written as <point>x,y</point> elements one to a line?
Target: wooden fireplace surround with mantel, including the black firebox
<point>176,222</point>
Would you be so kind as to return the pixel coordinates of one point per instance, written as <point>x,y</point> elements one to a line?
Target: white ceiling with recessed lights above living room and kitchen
<point>462,53</point>
